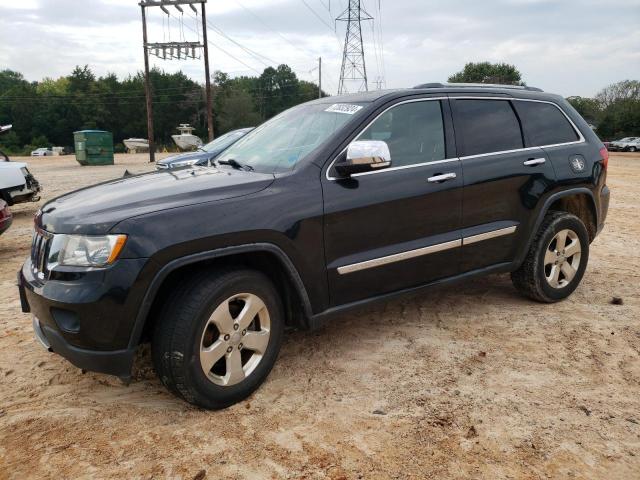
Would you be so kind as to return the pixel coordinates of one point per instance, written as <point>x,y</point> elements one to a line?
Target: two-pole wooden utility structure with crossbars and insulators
<point>174,50</point>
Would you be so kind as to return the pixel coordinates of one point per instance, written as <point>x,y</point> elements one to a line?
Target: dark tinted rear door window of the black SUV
<point>487,126</point>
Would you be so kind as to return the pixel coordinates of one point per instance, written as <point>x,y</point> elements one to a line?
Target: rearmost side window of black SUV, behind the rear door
<point>544,123</point>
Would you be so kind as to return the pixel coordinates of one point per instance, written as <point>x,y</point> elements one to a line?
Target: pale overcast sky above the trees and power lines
<point>571,47</point>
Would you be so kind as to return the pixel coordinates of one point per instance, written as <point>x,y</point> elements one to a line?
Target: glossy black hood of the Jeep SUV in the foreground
<point>95,210</point>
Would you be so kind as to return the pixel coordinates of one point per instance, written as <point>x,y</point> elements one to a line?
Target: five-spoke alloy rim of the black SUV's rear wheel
<point>562,258</point>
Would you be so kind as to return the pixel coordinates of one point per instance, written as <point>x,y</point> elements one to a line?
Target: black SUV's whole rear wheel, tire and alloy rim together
<point>556,260</point>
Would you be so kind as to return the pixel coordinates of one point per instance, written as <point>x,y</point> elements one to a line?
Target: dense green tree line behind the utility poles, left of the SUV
<point>46,113</point>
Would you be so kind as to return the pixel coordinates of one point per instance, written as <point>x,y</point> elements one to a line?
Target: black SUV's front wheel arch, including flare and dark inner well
<point>265,257</point>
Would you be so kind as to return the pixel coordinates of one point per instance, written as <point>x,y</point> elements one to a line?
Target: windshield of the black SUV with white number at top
<point>279,144</point>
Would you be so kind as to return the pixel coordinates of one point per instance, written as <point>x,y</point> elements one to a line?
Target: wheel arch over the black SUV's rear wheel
<point>577,201</point>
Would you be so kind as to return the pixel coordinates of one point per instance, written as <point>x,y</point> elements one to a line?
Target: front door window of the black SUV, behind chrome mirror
<point>413,131</point>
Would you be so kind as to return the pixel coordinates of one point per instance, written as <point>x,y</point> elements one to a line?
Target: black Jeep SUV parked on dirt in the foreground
<point>328,206</point>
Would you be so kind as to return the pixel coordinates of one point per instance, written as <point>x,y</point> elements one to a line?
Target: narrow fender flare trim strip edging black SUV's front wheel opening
<point>166,270</point>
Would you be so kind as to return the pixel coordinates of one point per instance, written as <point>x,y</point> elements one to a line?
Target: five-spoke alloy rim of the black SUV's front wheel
<point>235,339</point>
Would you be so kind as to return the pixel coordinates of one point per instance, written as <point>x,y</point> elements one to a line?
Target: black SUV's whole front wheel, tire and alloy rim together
<point>219,337</point>
